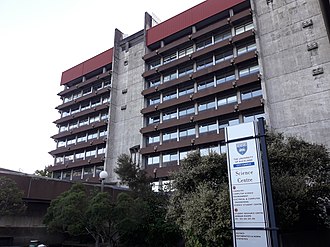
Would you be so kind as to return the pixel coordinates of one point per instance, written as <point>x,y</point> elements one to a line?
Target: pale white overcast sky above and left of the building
<point>39,39</point>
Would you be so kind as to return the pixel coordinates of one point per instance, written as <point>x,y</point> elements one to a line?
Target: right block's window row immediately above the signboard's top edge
<point>199,129</point>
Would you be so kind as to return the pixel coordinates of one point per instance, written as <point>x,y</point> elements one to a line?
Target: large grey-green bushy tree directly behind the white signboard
<point>300,180</point>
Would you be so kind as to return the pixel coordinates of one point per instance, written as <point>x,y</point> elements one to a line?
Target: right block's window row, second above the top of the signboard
<point>193,109</point>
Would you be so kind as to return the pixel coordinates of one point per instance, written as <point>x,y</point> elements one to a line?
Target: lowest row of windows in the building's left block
<point>79,173</point>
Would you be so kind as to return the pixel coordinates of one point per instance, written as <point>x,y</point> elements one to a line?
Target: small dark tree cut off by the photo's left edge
<point>11,202</point>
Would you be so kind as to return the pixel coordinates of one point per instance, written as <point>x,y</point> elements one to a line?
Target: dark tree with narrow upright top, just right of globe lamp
<point>141,215</point>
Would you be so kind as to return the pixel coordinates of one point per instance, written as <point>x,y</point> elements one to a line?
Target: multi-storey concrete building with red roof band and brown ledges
<point>173,87</point>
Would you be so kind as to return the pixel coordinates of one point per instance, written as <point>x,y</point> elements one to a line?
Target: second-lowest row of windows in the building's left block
<point>81,155</point>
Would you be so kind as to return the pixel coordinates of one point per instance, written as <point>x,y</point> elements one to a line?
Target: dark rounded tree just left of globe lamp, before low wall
<point>78,212</point>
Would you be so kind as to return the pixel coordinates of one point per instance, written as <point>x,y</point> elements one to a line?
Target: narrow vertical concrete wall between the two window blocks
<point>125,116</point>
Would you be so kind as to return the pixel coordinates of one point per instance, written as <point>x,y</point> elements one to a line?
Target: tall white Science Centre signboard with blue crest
<point>246,187</point>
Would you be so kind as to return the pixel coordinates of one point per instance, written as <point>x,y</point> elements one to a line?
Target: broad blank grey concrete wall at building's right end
<point>297,100</point>
